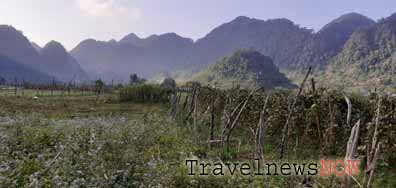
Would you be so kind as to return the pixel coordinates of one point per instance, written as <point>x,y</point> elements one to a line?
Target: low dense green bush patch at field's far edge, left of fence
<point>145,93</point>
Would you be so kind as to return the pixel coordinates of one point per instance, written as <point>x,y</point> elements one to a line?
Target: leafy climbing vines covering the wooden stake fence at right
<point>319,128</point>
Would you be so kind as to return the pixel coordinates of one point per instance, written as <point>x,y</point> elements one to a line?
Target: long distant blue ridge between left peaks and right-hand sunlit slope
<point>292,48</point>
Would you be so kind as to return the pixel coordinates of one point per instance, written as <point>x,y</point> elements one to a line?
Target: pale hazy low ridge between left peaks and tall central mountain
<point>117,60</point>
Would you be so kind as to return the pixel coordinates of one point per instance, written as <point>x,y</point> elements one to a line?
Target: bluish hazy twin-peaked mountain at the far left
<point>33,63</point>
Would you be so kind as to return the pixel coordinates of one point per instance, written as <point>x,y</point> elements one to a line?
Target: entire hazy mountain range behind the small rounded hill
<point>350,44</point>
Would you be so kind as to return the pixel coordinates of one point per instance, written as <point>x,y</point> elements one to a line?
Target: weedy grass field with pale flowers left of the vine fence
<point>77,142</point>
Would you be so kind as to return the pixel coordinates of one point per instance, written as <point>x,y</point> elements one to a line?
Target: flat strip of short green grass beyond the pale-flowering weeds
<point>74,106</point>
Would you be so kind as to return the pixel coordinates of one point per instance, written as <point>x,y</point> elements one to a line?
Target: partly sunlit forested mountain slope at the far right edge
<point>368,58</point>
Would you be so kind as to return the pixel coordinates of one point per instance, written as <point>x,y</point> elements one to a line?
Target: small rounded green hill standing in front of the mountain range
<point>246,67</point>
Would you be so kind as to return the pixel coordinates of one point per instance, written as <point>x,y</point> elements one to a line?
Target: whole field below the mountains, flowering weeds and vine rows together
<point>76,141</point>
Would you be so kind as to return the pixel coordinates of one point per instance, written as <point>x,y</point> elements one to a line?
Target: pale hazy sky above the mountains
<point>70,21</point>
